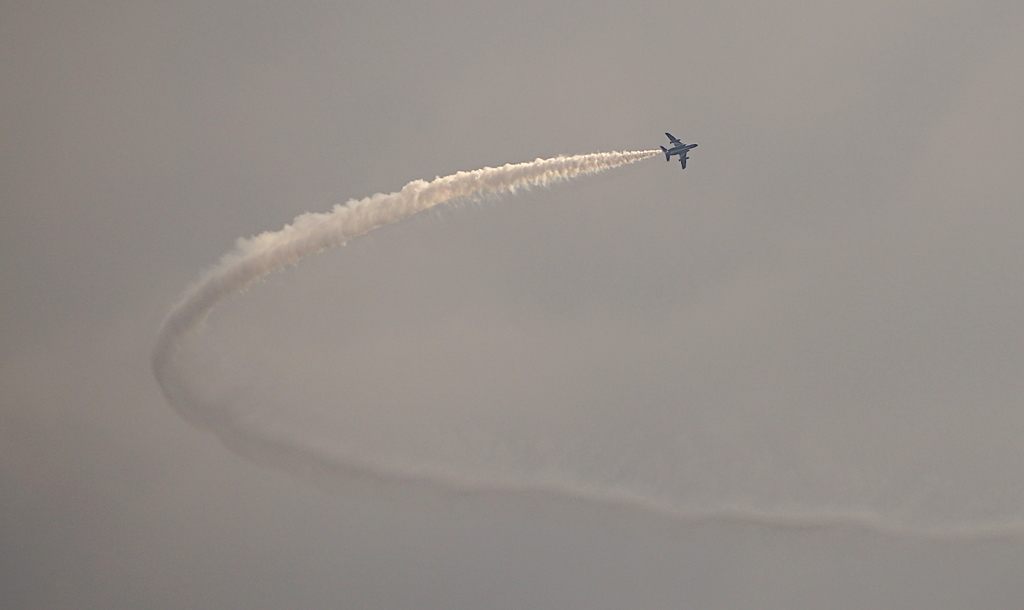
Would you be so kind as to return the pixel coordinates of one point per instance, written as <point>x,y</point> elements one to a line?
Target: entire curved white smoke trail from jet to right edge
<point>259,442</point>
